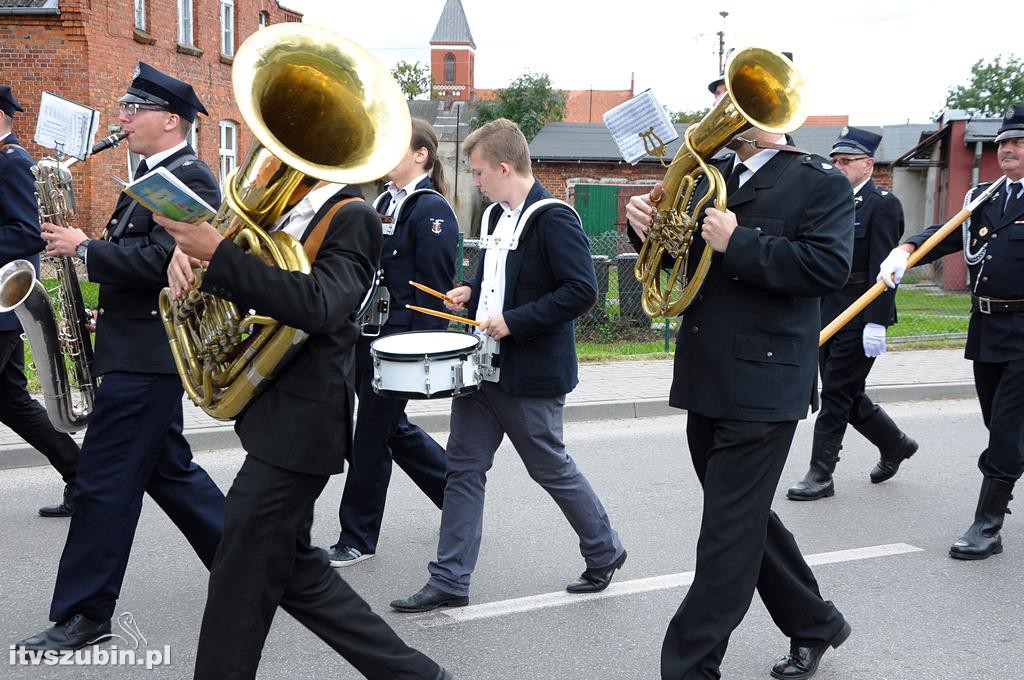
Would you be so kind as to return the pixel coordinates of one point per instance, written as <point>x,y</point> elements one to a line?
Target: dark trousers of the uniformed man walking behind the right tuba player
<point>844,375</point>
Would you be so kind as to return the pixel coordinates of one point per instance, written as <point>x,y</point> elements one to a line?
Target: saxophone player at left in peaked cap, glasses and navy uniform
<point>135,442</point>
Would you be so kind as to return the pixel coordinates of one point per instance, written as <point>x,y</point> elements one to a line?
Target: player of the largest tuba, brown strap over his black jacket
<point>296,435</point>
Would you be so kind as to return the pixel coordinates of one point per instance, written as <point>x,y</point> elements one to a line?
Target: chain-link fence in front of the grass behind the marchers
<point>933,304</point>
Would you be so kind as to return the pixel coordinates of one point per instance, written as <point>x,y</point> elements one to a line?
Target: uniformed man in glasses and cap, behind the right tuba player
<point>847,359</point>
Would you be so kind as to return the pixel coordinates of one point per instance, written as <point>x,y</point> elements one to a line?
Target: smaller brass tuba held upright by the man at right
<point>764,92</point>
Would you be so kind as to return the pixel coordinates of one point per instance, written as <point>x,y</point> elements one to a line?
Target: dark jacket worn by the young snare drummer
<point>549,282</point>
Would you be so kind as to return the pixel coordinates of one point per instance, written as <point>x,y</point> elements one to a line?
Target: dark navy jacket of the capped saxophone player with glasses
<point>132,270</point>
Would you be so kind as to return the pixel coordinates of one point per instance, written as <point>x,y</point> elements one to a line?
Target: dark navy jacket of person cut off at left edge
<point>19,215</point>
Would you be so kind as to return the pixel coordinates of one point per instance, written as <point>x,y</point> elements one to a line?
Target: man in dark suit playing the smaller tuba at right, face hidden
<point>745,371</point>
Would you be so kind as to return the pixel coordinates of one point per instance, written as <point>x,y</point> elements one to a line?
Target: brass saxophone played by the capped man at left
<point>61,345</point>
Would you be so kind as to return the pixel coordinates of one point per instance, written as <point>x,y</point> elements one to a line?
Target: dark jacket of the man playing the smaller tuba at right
<point>748,348</point>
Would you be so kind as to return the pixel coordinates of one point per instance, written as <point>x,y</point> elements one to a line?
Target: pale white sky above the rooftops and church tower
<point>880,62</point>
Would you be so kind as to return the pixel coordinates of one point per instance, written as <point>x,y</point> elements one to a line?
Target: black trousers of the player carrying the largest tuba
<point>266,560</point>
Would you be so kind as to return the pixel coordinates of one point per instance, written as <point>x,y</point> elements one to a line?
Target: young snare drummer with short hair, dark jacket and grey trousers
<point>535,279</point>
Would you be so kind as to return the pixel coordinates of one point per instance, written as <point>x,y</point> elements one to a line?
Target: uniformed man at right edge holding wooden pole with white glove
<point>993,242</point>
